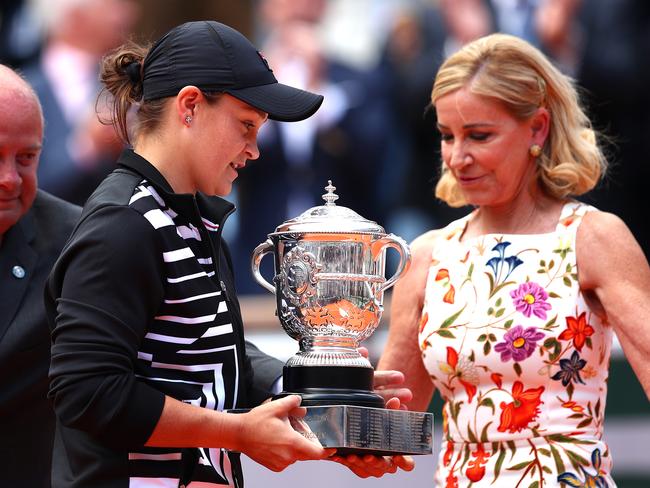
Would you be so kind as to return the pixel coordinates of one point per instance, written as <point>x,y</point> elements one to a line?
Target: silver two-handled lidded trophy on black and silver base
<point>329,285</point>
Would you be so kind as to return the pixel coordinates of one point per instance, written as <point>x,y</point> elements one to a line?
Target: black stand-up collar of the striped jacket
<point>213,208</point>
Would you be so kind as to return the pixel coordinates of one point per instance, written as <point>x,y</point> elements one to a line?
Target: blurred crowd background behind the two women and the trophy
<point>374,137</point>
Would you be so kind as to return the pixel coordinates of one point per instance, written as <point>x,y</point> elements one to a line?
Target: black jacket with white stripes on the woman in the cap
<point>142,305</point>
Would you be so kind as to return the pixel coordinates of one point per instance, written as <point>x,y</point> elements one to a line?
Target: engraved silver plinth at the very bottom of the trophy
<point>365,430</point>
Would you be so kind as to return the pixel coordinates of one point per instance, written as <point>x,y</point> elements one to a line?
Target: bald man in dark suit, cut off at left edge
<point>33,228</point>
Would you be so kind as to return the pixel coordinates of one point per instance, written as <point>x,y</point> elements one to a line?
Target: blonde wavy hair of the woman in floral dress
<point>517,74</point>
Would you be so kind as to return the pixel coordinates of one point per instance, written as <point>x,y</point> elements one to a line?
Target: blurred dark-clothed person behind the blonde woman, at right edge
<point>615,73</point>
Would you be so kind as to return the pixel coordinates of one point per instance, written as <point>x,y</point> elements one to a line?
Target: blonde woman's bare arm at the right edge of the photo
<point>614,271</point>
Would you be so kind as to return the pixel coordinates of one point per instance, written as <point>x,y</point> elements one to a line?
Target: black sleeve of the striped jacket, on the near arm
<point>105,289</point>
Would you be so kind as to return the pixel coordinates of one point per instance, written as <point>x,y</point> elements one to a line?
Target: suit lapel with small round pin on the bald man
<point>16,250</point>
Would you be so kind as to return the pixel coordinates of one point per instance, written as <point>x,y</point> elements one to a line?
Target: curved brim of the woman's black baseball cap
<point>281,102</point>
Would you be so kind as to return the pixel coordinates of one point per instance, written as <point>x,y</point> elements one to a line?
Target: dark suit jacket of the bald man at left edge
<point>26,419</point>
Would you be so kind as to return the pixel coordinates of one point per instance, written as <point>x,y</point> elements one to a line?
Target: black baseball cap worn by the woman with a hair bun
<point>215,57</point>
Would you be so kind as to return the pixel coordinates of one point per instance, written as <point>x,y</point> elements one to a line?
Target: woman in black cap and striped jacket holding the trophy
<point>148,343</point>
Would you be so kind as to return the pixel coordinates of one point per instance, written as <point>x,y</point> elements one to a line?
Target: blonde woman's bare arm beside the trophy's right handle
<point>402,351</point>
